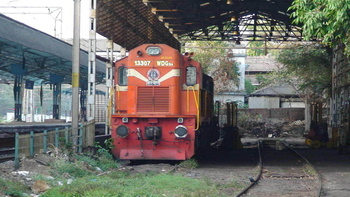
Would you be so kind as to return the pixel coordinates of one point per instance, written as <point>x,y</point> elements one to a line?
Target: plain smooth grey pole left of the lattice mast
<point>75,73</point>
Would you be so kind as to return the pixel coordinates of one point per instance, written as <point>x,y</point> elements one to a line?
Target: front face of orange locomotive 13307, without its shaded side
<point>149,122</point>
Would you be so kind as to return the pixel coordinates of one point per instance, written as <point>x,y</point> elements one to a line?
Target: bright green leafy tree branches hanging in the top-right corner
<point>327,20</point>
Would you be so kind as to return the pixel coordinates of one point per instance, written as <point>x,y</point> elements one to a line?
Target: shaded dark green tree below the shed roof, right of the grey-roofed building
<point>307,68</point>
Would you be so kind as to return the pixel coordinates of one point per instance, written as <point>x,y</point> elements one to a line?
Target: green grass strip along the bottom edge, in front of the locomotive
<point>147,185</point>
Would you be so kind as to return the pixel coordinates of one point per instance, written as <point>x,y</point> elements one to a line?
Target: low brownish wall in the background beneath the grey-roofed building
<point>274,115</point>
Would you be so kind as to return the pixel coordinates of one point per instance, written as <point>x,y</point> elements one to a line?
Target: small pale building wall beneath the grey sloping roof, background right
<point>264,102</point>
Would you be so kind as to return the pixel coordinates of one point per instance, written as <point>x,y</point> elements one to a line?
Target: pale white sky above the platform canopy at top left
<point>54,17</point>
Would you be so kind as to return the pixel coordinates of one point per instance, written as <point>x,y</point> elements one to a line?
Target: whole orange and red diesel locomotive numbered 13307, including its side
<point>163,105</point>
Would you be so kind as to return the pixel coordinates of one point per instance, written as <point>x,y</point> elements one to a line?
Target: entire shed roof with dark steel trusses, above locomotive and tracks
<point>130,23</point>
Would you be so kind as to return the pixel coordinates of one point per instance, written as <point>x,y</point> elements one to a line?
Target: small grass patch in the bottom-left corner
<point>11,188</point>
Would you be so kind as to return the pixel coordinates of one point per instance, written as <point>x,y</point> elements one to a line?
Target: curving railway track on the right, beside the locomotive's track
<point>284,172</point>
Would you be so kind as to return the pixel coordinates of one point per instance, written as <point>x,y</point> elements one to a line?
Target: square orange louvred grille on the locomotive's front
<point>153,99</point>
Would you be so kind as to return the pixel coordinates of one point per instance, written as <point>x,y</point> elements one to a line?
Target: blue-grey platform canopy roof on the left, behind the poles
<point>38,56</point>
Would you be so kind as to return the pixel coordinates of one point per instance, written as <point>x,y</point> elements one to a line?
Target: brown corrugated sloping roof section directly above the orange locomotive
<point>130,23</point>
